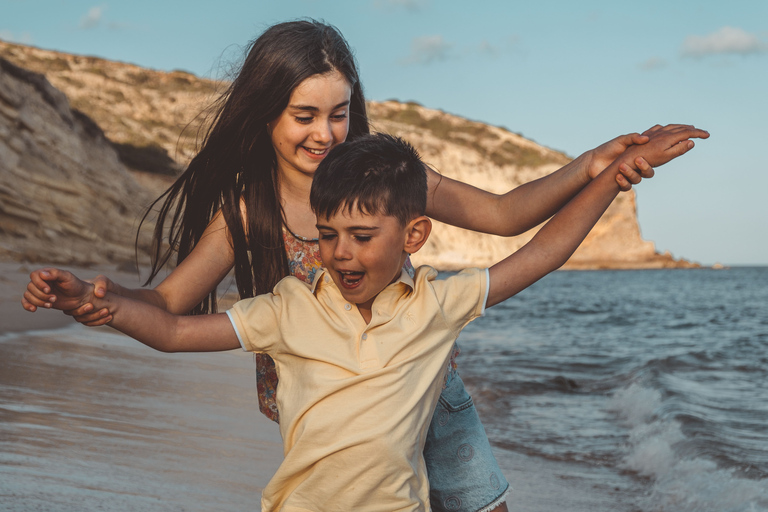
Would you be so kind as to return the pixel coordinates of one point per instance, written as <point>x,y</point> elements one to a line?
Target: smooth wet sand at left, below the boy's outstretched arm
<point>92,420</point>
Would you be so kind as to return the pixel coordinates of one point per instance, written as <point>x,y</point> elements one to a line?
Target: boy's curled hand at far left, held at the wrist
<point>57,289</point>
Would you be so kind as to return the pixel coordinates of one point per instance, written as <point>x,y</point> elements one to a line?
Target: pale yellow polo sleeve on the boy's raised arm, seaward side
<point>463,296</point>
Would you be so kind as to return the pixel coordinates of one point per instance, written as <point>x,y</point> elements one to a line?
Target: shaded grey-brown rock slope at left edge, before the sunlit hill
<point>64,195</point>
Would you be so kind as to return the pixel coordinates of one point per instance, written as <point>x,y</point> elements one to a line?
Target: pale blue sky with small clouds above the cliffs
<point>568,75</point>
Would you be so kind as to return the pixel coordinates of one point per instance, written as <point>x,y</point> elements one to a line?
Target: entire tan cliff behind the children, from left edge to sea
<point>84,148</point>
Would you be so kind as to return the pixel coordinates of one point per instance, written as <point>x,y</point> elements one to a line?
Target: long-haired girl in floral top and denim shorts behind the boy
<point>243,202</point>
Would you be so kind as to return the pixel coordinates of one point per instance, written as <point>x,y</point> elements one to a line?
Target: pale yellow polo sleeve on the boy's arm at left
<point>257,322</point>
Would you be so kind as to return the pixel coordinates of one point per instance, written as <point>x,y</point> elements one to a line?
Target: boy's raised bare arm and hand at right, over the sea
<point>551,247</point>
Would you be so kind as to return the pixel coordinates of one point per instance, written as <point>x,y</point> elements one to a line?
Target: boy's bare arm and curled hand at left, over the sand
<point>145,322</point>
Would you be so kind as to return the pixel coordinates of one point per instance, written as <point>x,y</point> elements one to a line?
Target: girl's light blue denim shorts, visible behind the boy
<point>463,473</point>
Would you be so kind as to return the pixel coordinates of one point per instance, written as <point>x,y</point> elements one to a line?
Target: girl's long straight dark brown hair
<point>237,161</point>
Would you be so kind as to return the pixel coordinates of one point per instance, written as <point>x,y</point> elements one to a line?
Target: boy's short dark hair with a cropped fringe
<point>377,174</point>
